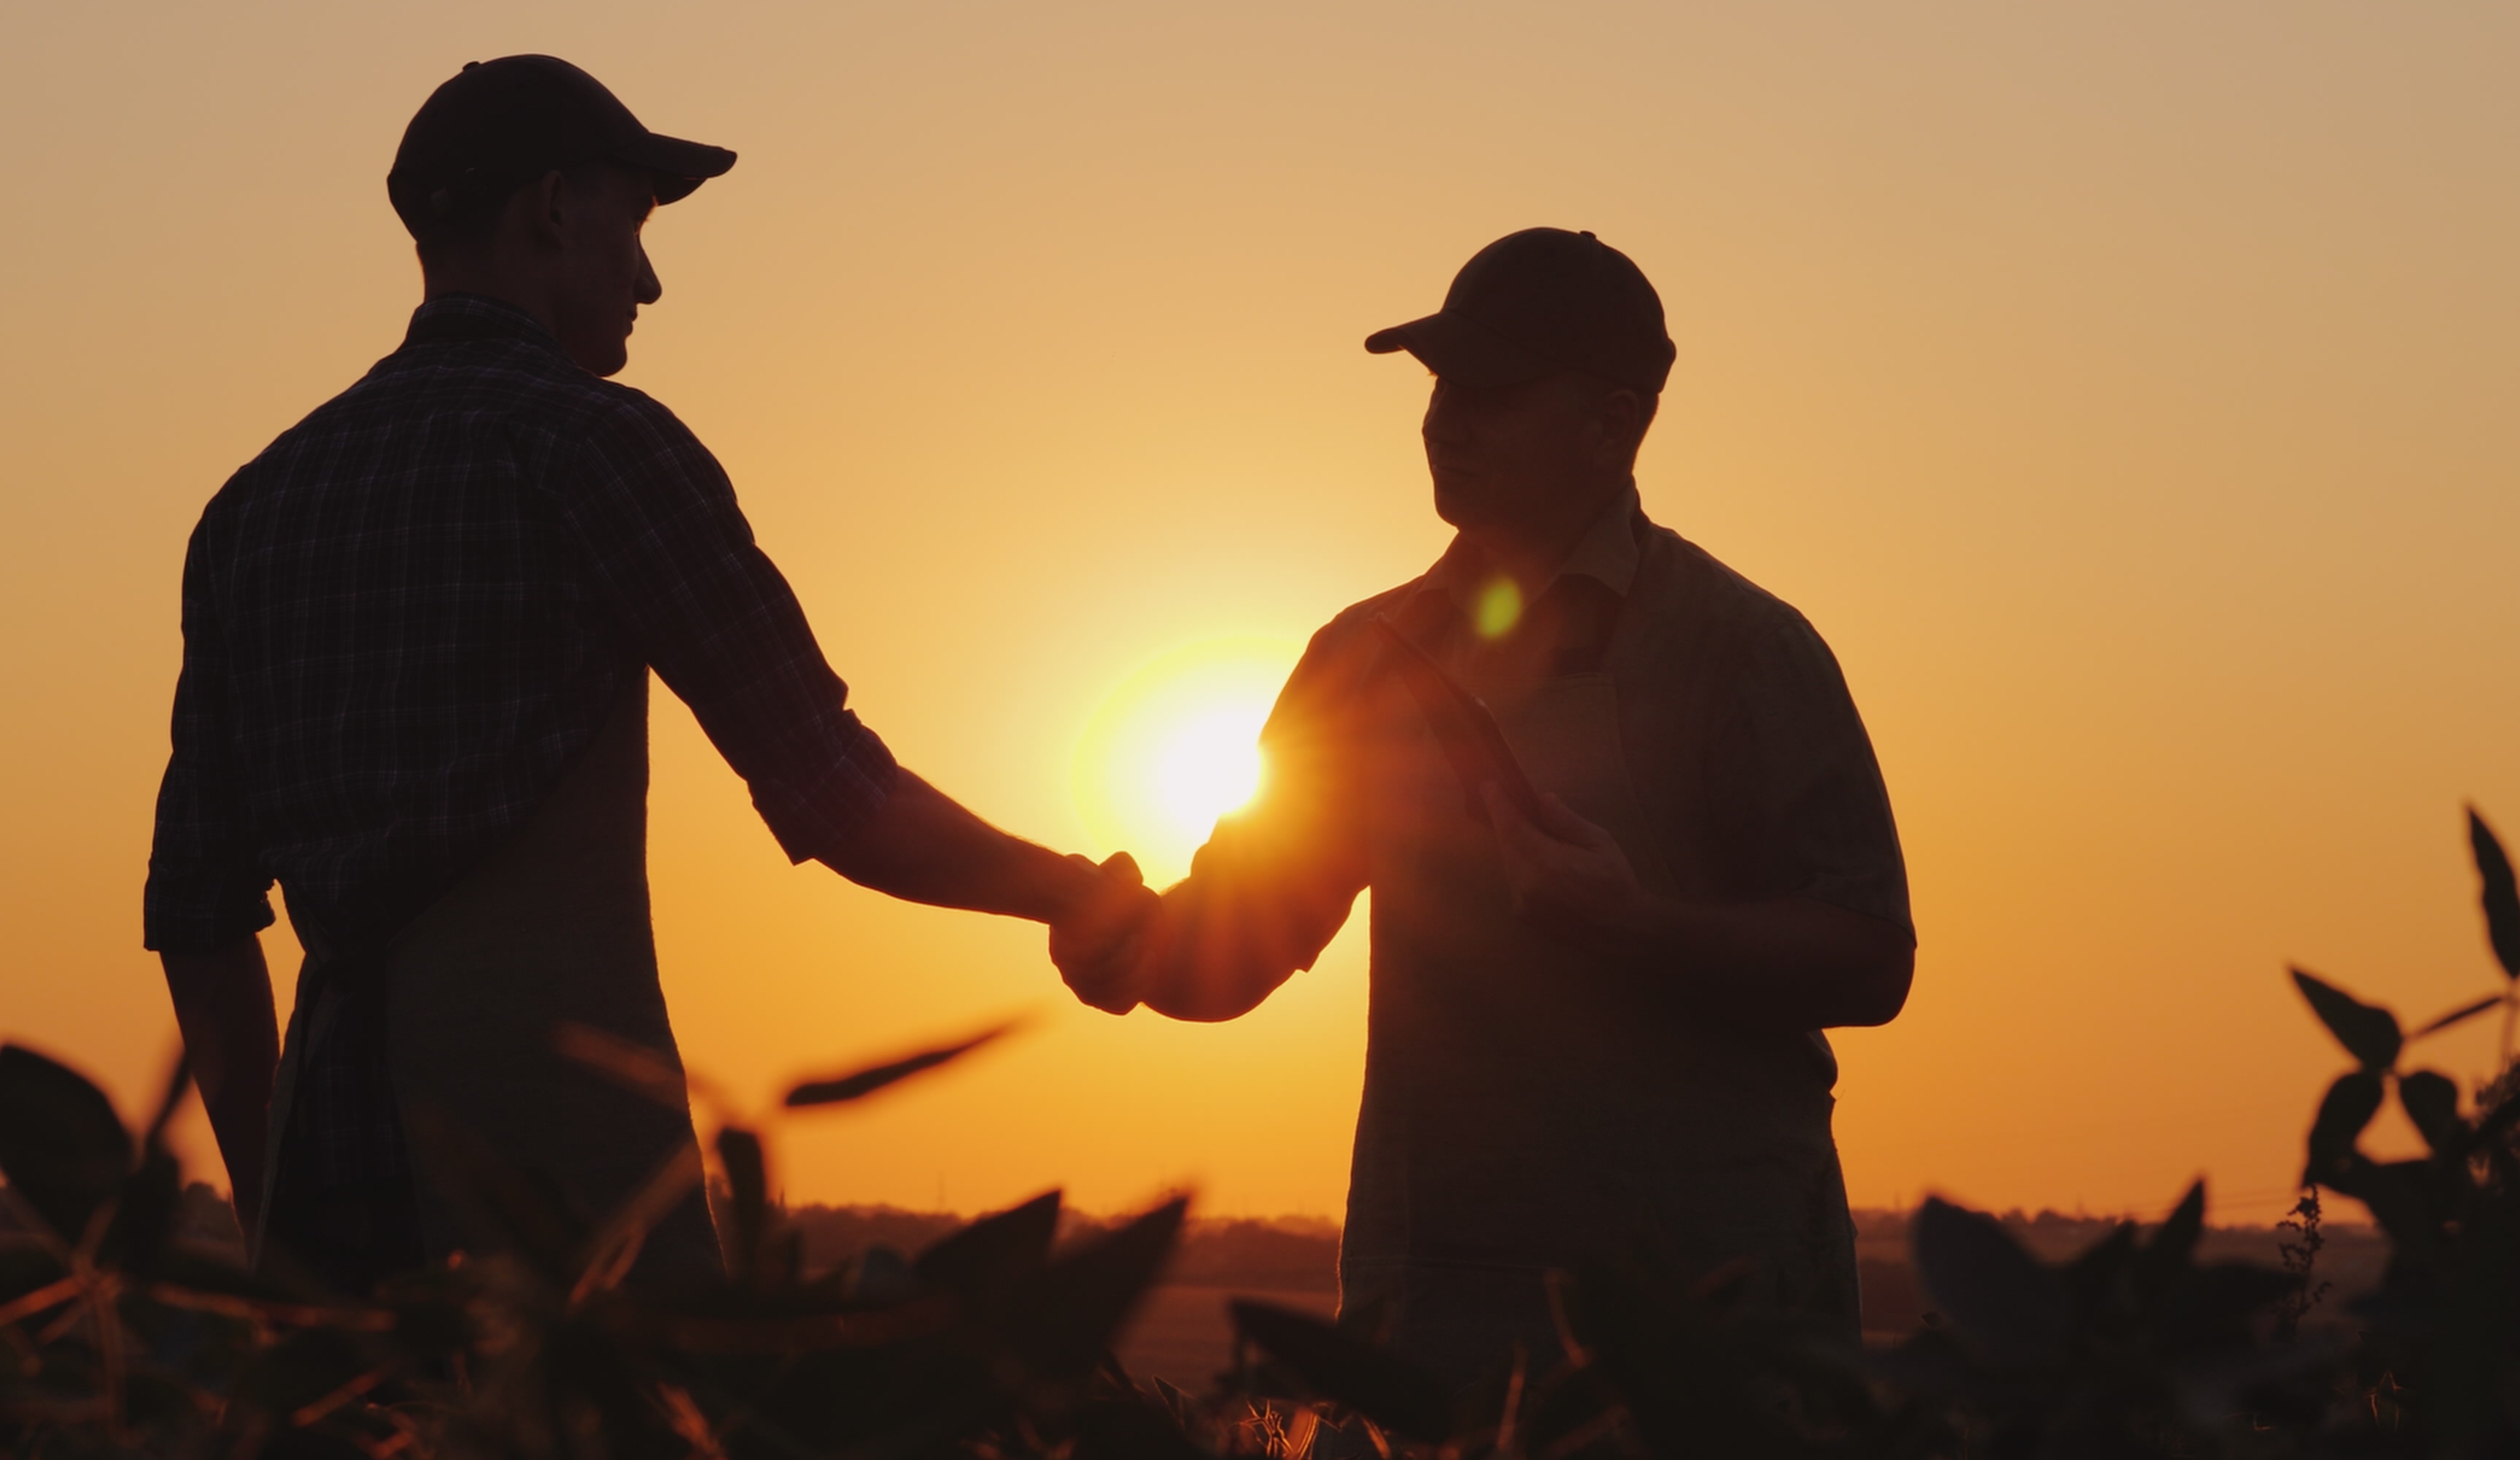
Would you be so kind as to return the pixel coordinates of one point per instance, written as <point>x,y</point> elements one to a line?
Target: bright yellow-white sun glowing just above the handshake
<point>1176,748</point>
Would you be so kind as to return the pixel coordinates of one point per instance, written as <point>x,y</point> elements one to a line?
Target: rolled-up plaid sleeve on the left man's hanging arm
<point>208,884</point>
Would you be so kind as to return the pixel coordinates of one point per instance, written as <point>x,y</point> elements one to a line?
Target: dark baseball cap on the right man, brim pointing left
<point>1536,304</point>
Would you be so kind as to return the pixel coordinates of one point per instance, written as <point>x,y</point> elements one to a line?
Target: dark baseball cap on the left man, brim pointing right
<point>505,122</point>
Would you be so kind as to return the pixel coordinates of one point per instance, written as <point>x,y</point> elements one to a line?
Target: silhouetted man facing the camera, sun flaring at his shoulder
<point>1594,1023</point>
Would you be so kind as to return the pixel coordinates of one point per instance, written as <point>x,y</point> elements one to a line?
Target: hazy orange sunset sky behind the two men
<point>2123,390</point>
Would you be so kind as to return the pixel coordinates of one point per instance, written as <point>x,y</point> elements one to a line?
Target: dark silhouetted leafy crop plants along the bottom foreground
<point>127,1333</point>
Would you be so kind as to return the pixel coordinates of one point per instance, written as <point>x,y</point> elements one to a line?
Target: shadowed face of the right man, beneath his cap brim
<point>1511,458</point>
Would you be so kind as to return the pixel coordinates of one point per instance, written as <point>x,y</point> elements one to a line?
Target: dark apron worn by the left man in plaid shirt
<point>462,1005</point>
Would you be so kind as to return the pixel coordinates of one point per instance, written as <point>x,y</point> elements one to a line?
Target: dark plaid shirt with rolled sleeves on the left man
<point>412,614</point>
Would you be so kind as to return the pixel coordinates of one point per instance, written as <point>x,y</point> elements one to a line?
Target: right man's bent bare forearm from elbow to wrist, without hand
<point>1783,967</point>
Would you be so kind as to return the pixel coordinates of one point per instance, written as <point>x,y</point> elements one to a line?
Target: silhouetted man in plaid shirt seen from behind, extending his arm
<point>417,647</point>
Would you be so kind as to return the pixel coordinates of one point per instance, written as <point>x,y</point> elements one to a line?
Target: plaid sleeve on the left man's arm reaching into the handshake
<point>677,564</point>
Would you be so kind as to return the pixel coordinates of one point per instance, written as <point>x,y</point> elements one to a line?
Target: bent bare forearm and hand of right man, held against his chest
<point>1785,965</point>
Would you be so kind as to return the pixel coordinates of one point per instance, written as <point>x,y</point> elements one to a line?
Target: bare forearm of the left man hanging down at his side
<point>223,1002</point>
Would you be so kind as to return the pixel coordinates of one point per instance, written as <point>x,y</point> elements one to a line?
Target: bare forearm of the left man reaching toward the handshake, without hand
<point>921,846</point>
